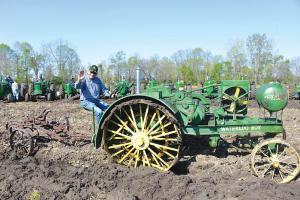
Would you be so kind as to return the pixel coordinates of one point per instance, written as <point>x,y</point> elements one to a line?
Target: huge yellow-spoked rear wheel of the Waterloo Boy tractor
<point>142,133</point>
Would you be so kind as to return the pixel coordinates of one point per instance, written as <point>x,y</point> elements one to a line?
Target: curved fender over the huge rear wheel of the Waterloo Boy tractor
<point>98,133</point>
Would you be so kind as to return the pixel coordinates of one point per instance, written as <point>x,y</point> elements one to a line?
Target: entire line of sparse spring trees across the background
<point>253,59</point>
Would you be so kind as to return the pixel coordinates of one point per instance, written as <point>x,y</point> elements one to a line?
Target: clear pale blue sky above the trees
<point>97,29</point>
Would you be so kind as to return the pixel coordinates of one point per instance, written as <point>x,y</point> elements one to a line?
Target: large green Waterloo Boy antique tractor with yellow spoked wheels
<point>150,129</point>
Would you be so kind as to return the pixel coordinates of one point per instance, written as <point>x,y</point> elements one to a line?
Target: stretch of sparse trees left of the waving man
<point>56,61</point>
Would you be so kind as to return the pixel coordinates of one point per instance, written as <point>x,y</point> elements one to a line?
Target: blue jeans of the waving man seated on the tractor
<point>98,105</point>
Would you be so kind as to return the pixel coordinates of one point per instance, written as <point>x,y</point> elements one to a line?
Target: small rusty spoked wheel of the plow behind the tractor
<point>21,142</point>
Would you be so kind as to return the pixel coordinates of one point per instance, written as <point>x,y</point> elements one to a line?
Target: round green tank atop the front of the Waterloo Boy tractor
<point>272,96</point>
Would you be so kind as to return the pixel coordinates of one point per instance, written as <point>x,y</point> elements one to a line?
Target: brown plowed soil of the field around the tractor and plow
<point>58,171</point>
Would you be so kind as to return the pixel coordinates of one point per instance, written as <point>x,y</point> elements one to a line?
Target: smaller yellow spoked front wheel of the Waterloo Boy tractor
<point>275,159</point>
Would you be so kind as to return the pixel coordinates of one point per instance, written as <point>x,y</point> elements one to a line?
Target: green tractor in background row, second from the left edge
<point>40,90</point>
